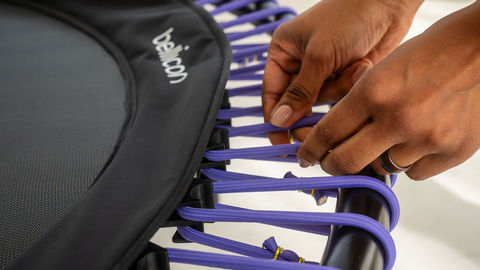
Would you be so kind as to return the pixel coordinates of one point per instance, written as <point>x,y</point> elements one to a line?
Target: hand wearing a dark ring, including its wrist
<point>422,103</point>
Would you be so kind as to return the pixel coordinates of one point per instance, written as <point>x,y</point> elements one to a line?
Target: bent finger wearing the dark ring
<point>401,155</point>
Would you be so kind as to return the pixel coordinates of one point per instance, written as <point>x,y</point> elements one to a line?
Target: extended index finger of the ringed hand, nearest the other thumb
<point>340,123</point>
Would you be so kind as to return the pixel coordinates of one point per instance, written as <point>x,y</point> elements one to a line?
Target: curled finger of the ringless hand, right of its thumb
<point>335,89</point>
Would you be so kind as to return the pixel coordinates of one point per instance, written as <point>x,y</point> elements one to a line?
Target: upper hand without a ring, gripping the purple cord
<point>317,56</point>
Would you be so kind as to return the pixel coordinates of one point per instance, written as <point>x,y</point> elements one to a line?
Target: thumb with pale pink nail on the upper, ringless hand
<point>300,95</point>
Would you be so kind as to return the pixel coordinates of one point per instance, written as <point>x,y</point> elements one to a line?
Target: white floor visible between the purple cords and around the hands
<point>438,223</point>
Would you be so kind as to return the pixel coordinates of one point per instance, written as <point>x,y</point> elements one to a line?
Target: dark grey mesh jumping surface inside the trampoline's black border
<point>61,111</point>
